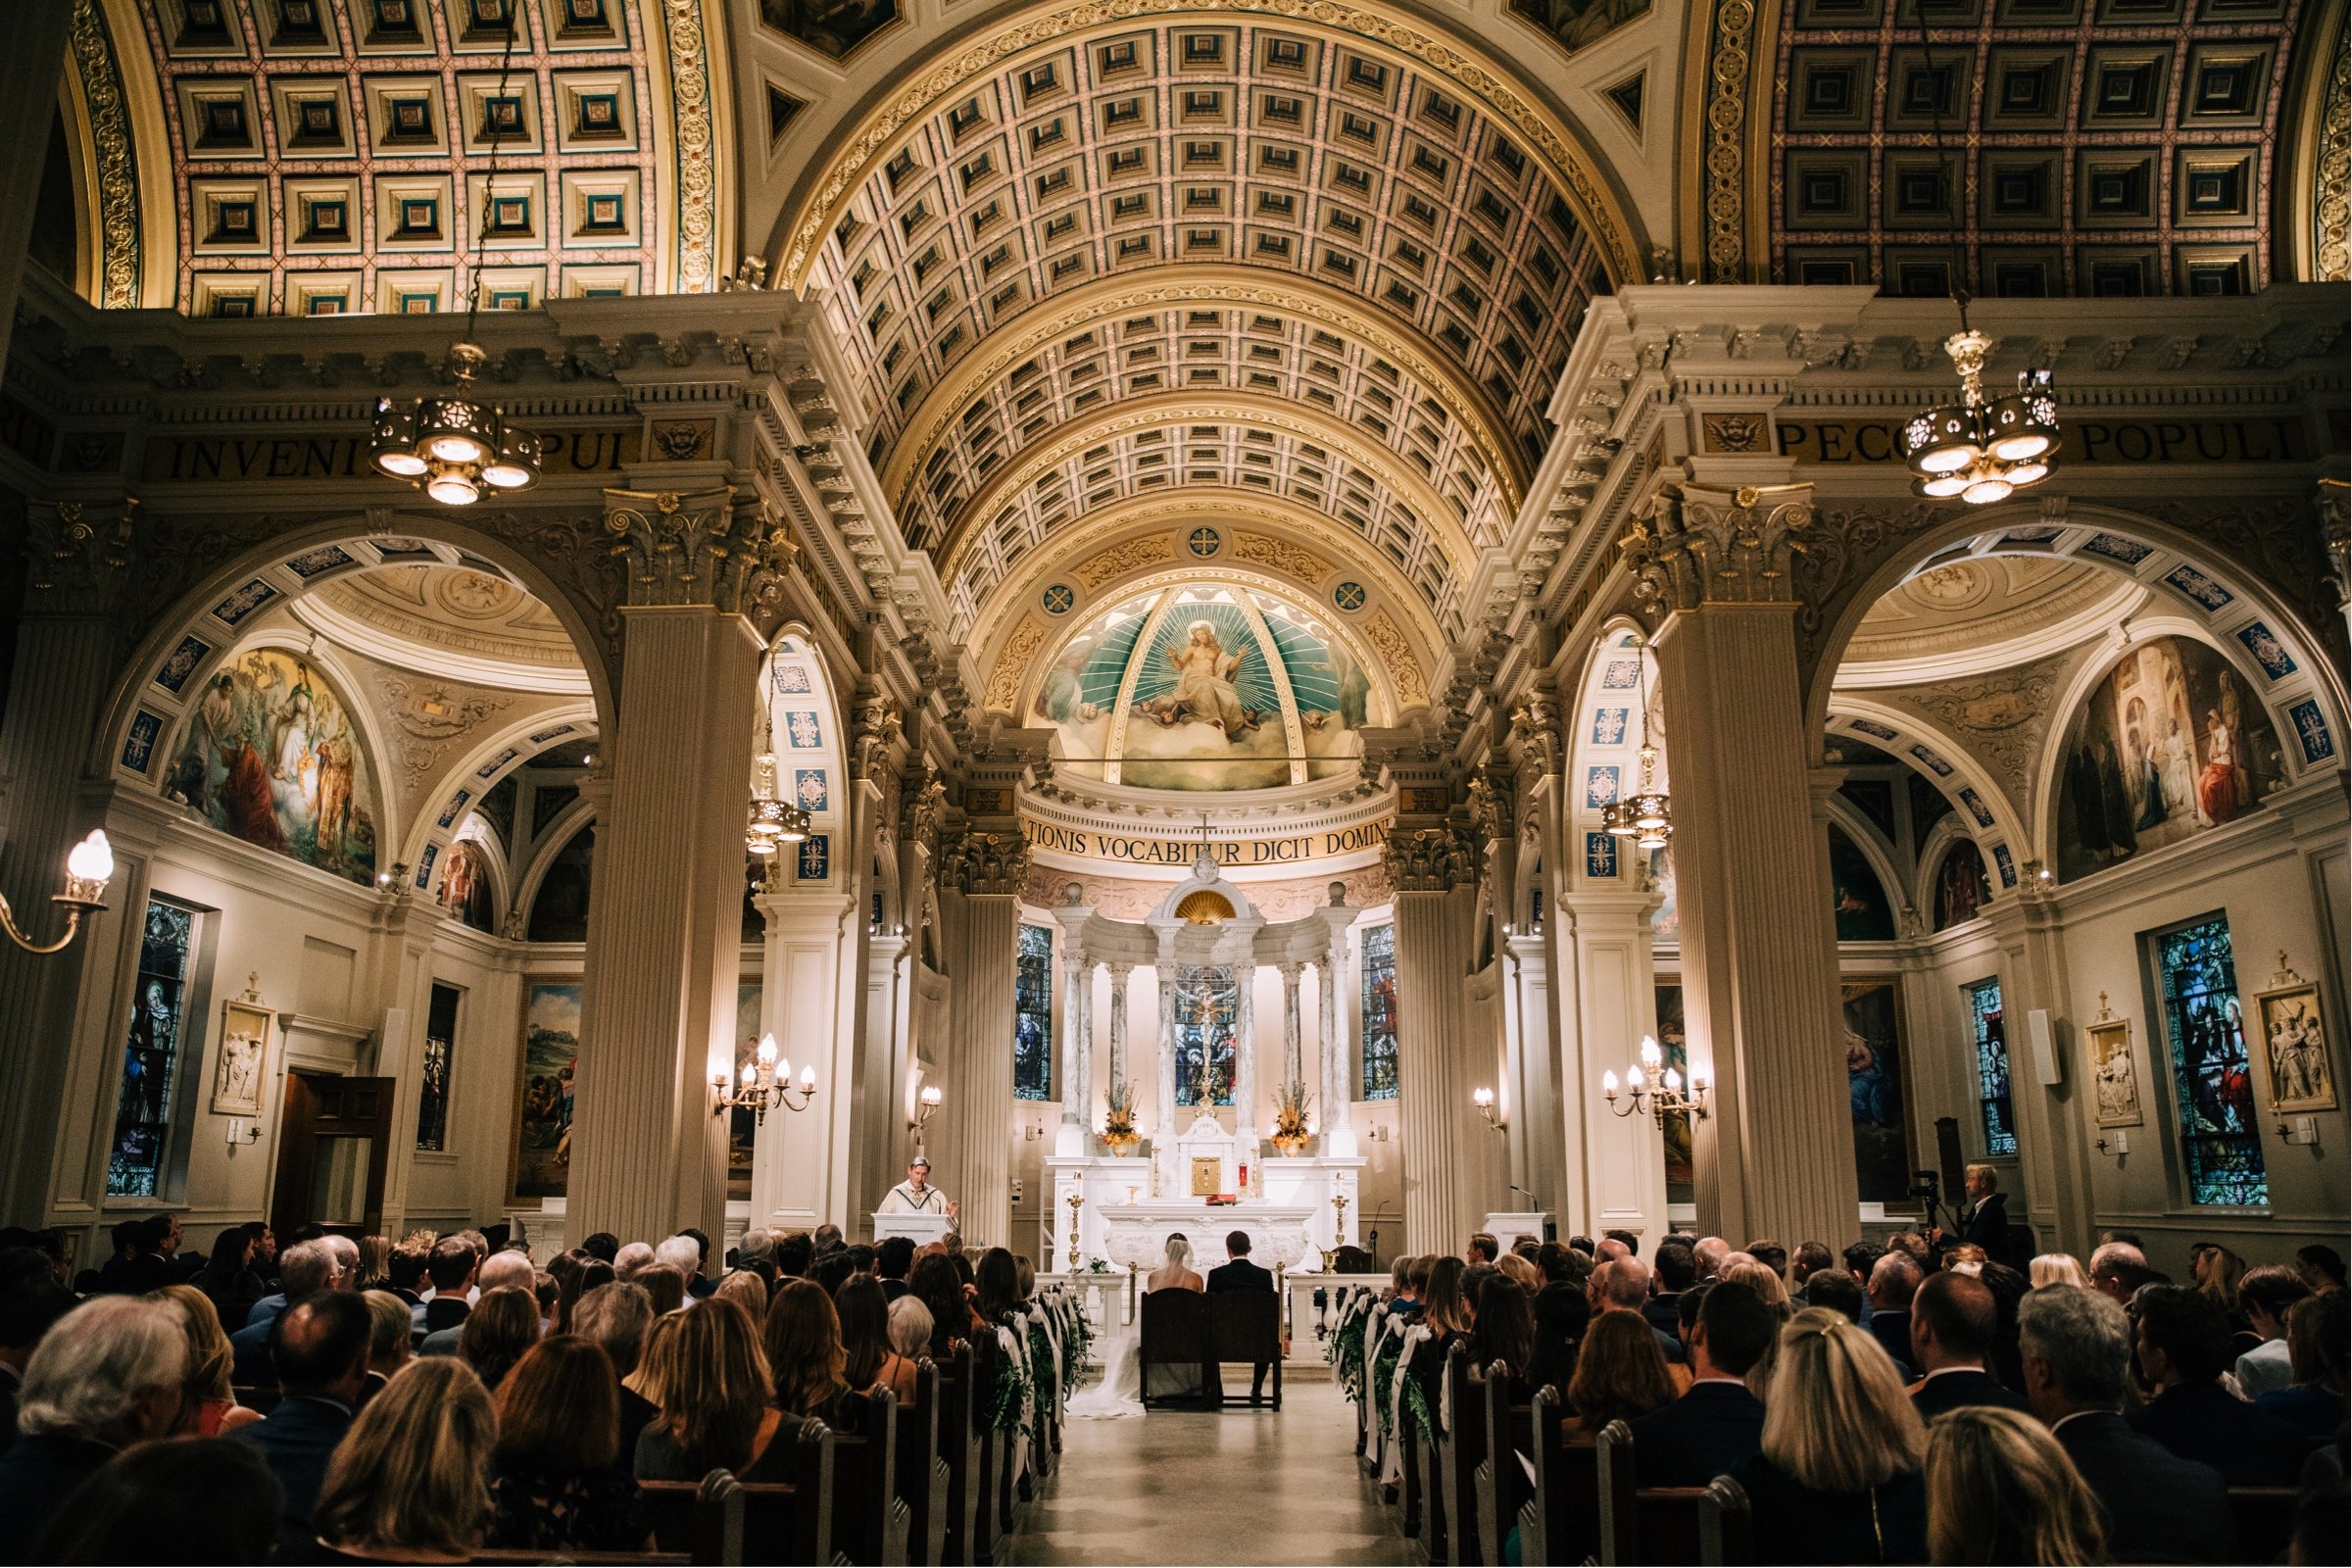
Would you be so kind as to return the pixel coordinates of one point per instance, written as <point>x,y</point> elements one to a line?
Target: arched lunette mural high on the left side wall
<point>274,758</point>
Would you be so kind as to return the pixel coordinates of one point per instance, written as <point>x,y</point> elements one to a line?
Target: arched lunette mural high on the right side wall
<point>2167,746</point>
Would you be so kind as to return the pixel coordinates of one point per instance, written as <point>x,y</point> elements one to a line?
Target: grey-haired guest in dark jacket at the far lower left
<point>105,1379</point>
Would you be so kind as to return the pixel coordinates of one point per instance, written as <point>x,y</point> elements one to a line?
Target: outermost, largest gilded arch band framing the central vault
<point>1001,48</point>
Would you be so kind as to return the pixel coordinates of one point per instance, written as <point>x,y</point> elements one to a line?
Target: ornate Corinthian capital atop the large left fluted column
<point>714,547</point>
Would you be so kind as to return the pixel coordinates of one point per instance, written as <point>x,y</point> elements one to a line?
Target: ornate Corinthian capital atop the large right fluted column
<point>1718,547</point>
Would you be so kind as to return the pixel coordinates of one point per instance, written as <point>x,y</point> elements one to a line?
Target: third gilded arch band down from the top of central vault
<point>1227,408</point>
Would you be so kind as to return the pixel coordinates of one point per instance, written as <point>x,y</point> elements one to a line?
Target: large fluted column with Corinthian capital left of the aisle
<point>667,899</point>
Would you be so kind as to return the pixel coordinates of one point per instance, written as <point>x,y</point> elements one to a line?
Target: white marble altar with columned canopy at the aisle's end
<point>1205,944</point>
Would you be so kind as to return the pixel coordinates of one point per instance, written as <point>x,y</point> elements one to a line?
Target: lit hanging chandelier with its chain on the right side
<point>1982,448</point>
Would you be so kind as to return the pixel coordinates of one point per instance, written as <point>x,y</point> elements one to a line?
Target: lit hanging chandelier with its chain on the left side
<point>455,448</point>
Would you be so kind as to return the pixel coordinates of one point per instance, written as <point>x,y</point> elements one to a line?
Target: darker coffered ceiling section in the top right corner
<point>2102,147</point>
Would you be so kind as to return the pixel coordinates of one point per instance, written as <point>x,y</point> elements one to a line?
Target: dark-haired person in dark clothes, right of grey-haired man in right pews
<point>2184,1346</point>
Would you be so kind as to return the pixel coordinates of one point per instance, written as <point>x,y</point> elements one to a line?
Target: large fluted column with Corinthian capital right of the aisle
<point>1751,862</point>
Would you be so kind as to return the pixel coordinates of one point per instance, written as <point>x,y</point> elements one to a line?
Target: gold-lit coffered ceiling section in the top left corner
<point>335,156</point>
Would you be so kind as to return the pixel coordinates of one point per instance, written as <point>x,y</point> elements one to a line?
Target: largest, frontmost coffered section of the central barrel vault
<point>1342,149</point>
